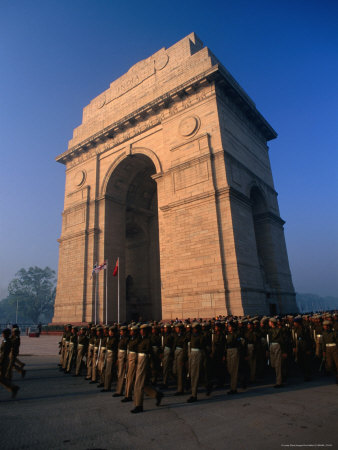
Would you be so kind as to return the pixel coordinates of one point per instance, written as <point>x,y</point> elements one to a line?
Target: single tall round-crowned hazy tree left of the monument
<point>34,289</point>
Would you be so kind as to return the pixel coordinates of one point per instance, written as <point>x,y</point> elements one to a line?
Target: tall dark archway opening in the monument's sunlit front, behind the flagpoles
<point>131,233</point>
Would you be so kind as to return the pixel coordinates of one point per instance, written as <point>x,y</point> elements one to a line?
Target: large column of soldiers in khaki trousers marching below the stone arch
<point>136,357</point>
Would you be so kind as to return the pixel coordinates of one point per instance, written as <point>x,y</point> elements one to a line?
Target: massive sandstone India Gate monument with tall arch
<point>169,171</point>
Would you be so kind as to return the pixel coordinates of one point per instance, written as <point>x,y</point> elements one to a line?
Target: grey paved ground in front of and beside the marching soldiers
<point>56,411</point>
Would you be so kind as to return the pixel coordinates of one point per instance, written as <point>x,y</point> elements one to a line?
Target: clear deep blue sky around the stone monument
<point>55,56</point>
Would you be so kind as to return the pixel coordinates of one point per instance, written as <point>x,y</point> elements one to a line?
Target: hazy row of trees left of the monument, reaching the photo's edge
<point>31,296</point>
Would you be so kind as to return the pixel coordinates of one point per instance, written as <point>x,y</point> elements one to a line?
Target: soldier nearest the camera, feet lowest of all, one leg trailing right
<point>144,350</point>
